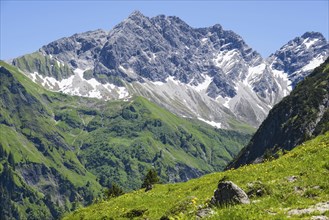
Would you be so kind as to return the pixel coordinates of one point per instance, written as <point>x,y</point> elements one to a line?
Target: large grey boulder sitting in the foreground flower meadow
<point>227,193</point>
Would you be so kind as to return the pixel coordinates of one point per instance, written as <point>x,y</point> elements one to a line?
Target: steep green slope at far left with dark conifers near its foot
<point>45,177</point>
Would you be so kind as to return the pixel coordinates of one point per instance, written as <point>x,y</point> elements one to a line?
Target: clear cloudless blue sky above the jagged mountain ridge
<point>264,25</point>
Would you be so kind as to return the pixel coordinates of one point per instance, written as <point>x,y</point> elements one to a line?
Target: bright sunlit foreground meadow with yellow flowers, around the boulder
<point>308,164</point>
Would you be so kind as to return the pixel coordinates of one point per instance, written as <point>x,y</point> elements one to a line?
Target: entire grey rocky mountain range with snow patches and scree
<point>205,73</point>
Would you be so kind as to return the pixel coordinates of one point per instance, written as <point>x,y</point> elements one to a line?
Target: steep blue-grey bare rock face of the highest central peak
<point>159,47</point>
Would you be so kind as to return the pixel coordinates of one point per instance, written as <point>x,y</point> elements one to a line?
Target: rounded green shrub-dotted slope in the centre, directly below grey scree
<point>126,139</point>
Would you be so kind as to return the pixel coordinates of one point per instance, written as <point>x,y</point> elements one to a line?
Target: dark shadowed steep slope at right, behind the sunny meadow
<point>298,117</point>
